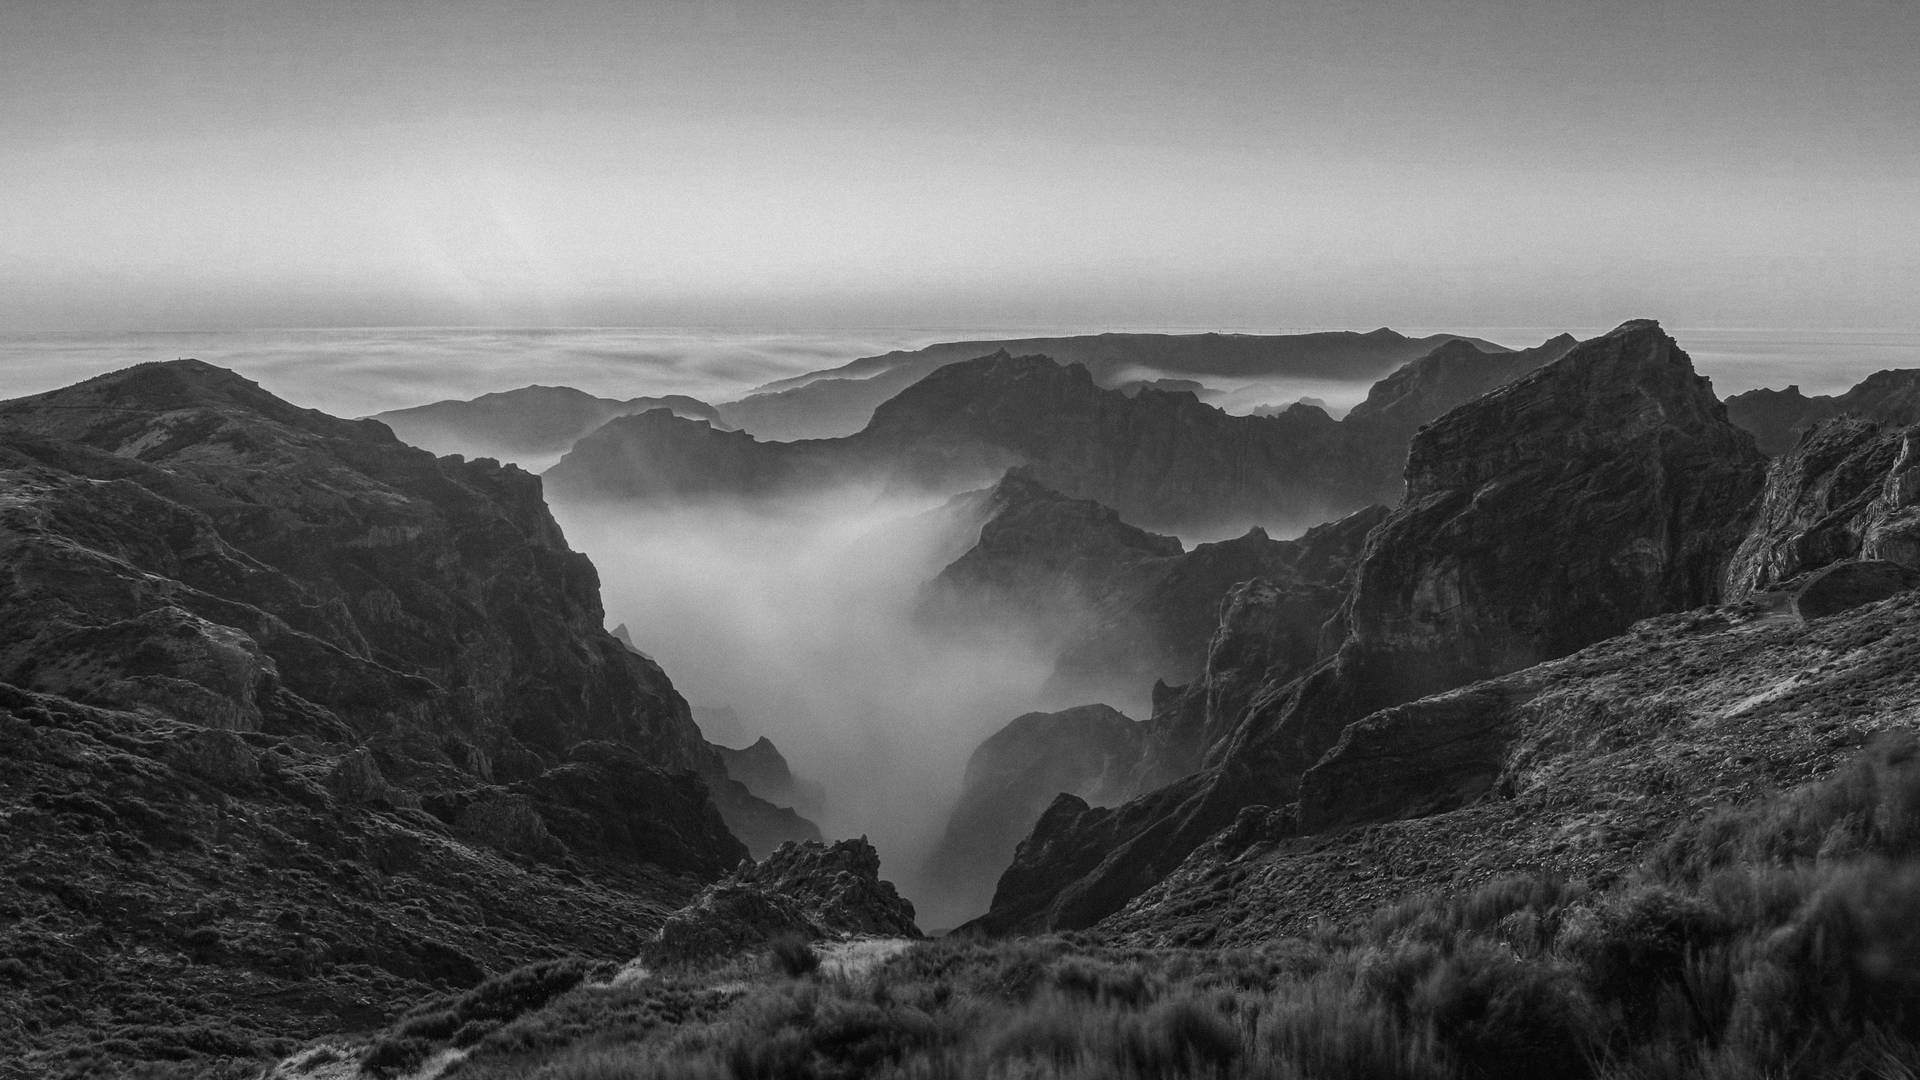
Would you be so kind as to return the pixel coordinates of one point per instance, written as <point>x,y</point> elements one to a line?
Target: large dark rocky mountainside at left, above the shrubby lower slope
<point>316,566</point>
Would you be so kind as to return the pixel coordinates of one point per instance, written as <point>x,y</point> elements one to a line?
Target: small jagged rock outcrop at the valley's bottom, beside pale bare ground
<point>821,891</point>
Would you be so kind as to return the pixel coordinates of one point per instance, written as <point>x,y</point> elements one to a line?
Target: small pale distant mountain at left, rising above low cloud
<point>531,428</point>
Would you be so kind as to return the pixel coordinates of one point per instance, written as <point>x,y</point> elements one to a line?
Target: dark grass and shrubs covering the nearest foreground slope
<point>1765,941</point>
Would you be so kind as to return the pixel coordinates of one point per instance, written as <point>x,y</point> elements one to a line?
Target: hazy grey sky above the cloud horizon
<point>817,164</point>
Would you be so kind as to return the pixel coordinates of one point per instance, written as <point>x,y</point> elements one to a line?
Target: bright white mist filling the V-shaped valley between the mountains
<point>800,616</point>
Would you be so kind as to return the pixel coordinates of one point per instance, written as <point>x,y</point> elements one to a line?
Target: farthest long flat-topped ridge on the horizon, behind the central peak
<point>842,401</point>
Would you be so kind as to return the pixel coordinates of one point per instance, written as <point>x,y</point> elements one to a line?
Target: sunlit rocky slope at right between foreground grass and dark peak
<point>1577,770</point>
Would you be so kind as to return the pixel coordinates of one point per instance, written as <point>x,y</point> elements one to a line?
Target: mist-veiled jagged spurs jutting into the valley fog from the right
<point>1122,606</point>
